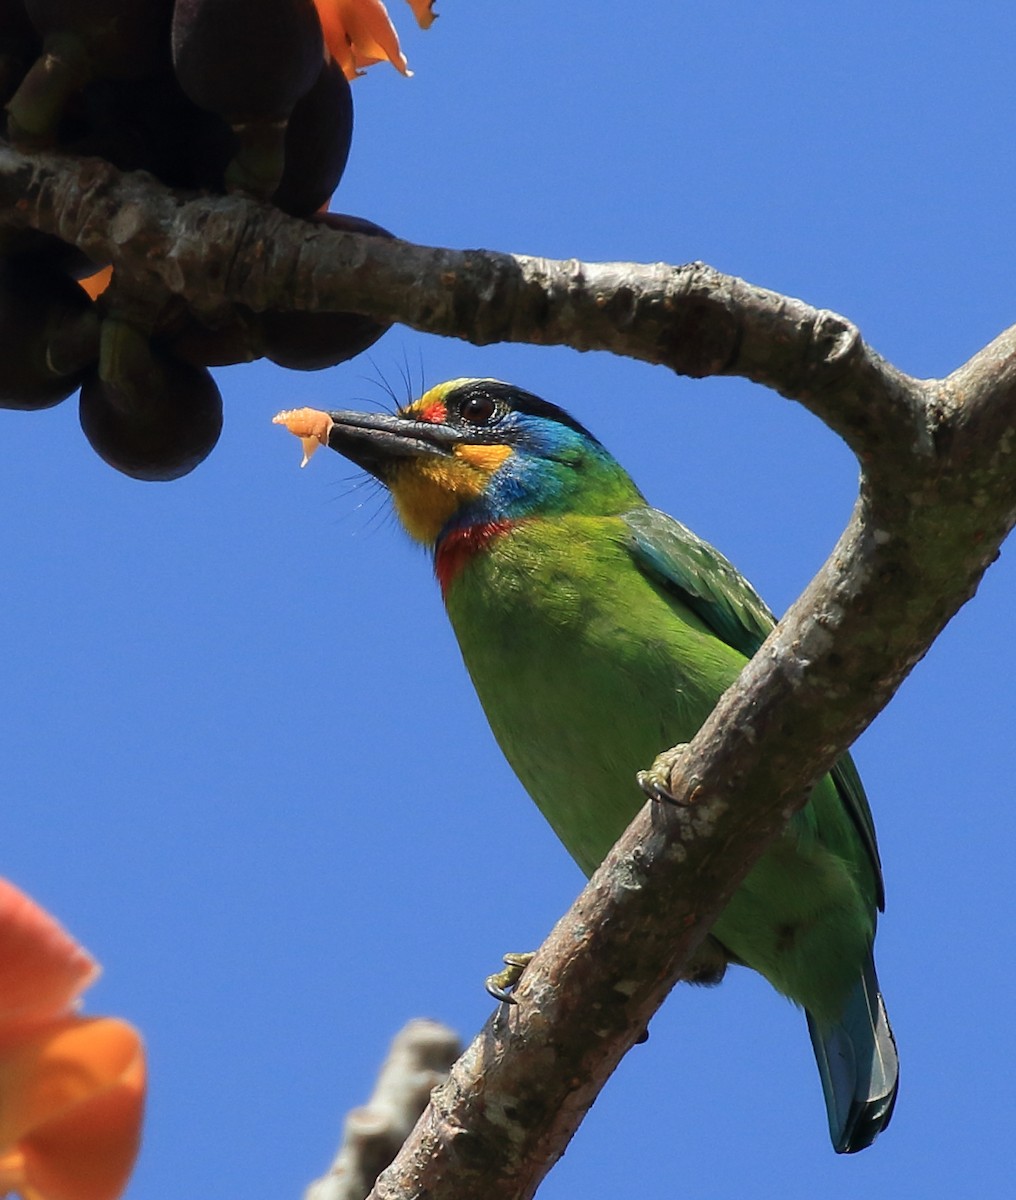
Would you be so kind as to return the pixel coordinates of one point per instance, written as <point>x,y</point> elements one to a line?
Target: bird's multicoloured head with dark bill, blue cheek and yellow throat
<point>479,452</point>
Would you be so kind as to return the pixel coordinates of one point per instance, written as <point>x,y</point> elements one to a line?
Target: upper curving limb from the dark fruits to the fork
<point>218,250</point>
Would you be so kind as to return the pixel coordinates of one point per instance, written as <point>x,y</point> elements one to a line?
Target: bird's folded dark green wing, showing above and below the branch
<point>701,578</point>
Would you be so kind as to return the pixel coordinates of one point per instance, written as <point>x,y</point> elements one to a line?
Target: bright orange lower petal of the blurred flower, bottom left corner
<point>71,1103</point>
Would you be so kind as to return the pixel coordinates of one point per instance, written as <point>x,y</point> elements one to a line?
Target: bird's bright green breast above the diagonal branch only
<point>585,670</point>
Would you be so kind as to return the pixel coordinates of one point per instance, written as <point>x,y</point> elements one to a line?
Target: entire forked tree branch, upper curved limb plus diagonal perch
<point>937,497</point>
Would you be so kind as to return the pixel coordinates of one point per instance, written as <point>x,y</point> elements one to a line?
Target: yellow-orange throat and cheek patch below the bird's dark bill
<point>428,493</point>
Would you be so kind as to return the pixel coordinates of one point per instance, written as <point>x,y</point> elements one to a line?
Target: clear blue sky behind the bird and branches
<point>242,759</point>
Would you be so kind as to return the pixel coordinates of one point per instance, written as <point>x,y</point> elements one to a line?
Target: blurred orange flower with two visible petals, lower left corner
<point>71,1088</point>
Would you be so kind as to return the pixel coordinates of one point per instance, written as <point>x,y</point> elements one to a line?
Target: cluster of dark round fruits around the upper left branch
<point>212,95</point>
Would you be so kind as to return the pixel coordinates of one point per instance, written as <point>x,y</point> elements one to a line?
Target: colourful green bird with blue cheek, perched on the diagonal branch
<point>599,631</point>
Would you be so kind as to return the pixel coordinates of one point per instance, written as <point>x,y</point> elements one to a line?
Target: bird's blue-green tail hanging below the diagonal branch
<point>858,1065</point>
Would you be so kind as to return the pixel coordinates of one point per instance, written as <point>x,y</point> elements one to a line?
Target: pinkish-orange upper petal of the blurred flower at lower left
<point>43,969</point>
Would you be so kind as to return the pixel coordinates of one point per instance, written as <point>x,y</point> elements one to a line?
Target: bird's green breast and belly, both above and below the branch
<point>587,670</point>
